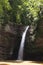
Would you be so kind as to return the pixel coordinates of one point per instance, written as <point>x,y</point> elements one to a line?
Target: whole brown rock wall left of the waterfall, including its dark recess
<point>10,38</point>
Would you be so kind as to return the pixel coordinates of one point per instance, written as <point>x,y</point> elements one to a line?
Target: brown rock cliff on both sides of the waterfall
<point>10,38</point>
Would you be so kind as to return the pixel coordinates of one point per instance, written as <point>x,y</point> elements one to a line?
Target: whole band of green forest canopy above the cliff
<point>21,11</point>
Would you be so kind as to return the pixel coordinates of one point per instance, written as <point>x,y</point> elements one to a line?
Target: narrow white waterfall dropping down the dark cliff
<point>20,53</point>
